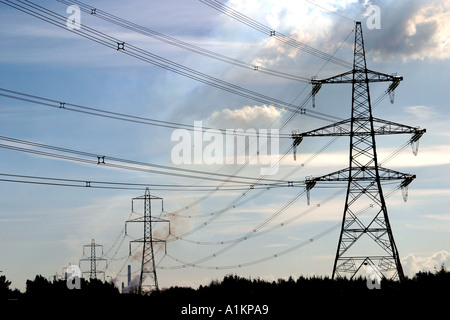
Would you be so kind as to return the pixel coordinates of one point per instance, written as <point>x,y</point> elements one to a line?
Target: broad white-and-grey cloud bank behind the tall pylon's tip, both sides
<point>410,30</point>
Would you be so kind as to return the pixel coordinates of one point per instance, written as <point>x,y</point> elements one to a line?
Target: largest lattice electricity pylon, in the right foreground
<point>365,219</point>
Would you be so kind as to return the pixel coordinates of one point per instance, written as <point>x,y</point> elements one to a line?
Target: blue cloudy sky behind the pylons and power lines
<point>43,228</point>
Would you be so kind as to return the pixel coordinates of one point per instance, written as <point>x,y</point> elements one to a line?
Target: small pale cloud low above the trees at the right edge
<point>413,263</point>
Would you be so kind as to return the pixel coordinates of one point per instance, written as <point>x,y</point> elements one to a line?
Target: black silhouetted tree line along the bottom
<point>283,298</point>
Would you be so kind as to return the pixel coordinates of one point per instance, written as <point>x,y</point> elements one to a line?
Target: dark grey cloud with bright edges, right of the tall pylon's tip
<point>411,30</point>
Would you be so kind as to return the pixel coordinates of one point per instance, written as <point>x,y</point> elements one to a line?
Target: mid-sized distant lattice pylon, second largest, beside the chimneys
<point>147,280</point>
